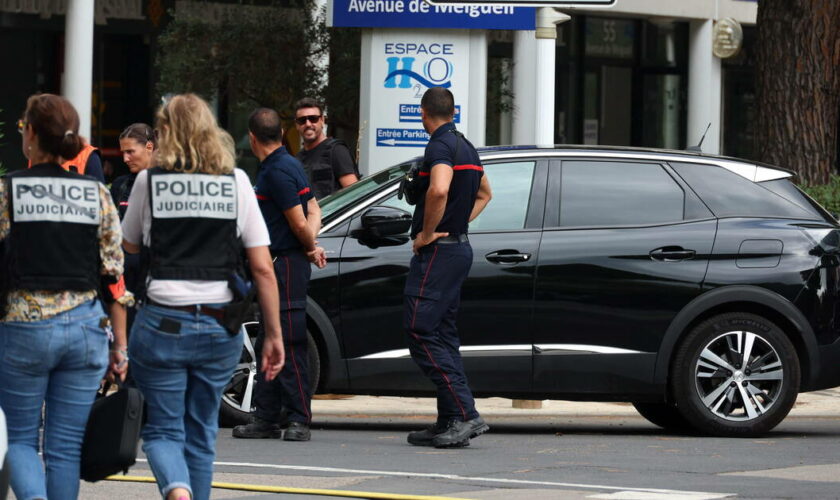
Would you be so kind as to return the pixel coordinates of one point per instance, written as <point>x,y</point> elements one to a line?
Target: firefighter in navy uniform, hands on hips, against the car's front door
<point>457,192</point>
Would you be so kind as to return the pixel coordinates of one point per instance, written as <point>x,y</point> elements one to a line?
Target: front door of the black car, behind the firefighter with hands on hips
<point>496,301</point>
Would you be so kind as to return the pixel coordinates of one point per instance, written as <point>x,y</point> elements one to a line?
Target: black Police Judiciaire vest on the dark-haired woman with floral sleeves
<point>53,242</point>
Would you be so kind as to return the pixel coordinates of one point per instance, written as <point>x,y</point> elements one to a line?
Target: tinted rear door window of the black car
<point>602,193</point>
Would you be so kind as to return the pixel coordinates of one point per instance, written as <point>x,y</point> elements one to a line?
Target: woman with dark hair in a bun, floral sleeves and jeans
<point>60,251</point>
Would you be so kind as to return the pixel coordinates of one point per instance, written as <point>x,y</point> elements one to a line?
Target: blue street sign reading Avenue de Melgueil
<point>420,14</point>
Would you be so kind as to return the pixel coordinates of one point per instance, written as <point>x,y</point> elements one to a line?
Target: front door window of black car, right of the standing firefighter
<point>511,187</point>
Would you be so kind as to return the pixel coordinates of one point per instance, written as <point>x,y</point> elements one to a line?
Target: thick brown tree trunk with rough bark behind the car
<point>798,86</point>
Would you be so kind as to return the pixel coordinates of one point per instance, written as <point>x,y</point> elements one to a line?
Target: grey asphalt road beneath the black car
<point>613,457</point>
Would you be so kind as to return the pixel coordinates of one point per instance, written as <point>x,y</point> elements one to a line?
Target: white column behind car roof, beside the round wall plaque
<point>704,88</point>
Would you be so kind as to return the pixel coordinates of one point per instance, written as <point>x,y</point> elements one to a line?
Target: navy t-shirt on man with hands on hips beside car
<point>466,178</point>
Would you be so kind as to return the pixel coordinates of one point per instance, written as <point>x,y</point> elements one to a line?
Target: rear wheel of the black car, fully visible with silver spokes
<point>721,393</point>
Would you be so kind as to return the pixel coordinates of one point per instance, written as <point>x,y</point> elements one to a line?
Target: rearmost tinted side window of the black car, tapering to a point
<point>728,194</point>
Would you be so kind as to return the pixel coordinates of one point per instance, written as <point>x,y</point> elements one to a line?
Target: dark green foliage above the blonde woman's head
<point>248,54</point>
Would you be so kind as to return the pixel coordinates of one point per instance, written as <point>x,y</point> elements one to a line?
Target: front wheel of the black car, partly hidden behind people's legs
<point>237,395</point>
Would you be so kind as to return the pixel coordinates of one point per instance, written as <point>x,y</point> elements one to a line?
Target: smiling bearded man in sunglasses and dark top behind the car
<point>327,161</point>
